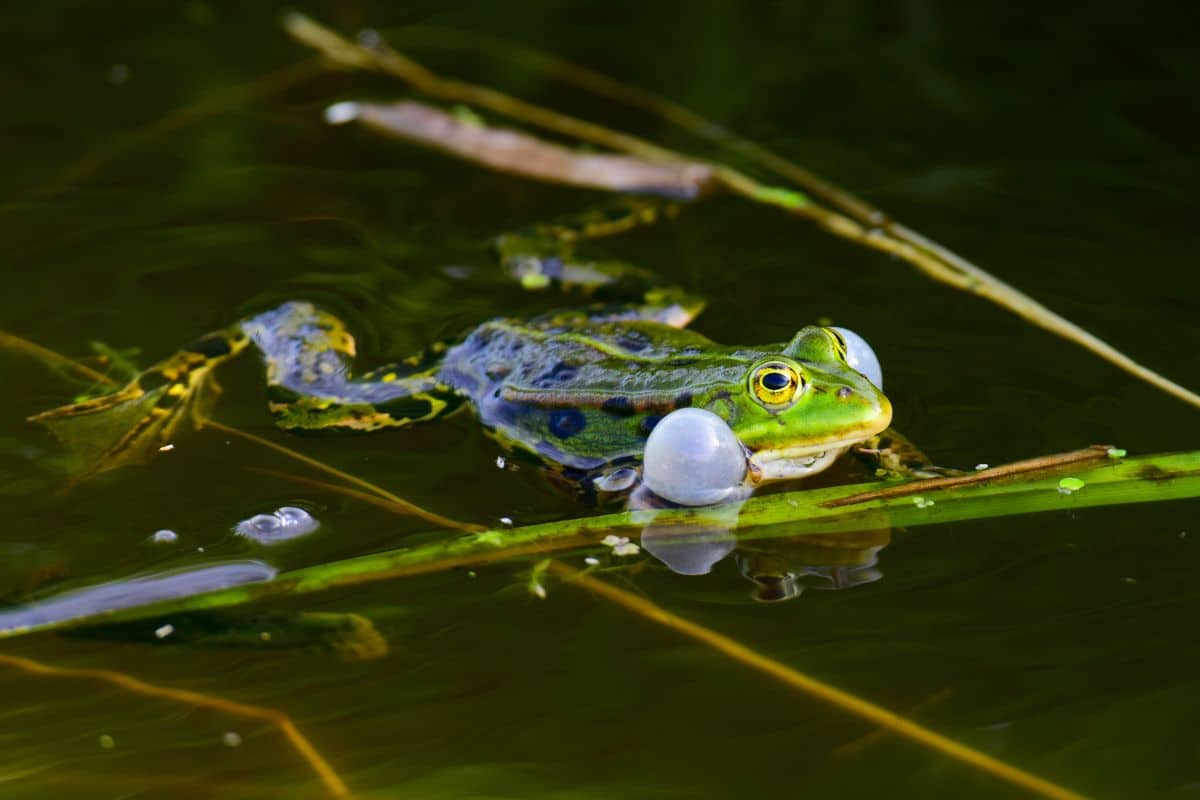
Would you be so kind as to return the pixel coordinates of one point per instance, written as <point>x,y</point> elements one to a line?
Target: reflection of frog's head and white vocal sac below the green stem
<point>781,569</point>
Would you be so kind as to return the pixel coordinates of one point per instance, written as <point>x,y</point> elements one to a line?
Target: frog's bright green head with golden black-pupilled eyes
<point>800,410</point>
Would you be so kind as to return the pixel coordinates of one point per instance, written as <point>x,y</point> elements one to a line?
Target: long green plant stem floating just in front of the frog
<point>1145,479</point>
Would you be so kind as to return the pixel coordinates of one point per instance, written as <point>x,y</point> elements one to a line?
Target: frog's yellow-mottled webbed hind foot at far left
<point>130,425</point>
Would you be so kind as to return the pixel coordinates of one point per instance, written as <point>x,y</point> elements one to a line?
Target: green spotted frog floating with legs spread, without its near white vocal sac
<point>577,392</point>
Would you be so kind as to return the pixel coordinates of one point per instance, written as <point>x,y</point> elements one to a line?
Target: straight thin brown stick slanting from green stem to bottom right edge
<point>819,690</point>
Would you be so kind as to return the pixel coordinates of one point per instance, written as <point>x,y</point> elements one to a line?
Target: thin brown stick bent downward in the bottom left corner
<point>334,785</point>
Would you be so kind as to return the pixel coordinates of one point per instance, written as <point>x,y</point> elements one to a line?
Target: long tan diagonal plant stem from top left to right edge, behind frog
<point>861,224</point>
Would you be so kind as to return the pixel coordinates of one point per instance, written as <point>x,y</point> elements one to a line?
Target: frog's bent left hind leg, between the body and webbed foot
<point>310,387</point>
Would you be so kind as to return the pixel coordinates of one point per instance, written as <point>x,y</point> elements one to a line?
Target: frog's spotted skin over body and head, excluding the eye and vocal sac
<point>585,395</point>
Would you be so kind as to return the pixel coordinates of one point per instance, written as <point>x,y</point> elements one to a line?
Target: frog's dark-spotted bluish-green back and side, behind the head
<point>580,393</point>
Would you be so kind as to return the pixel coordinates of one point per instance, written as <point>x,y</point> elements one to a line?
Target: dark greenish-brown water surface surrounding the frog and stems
<point>1055,146</point>
